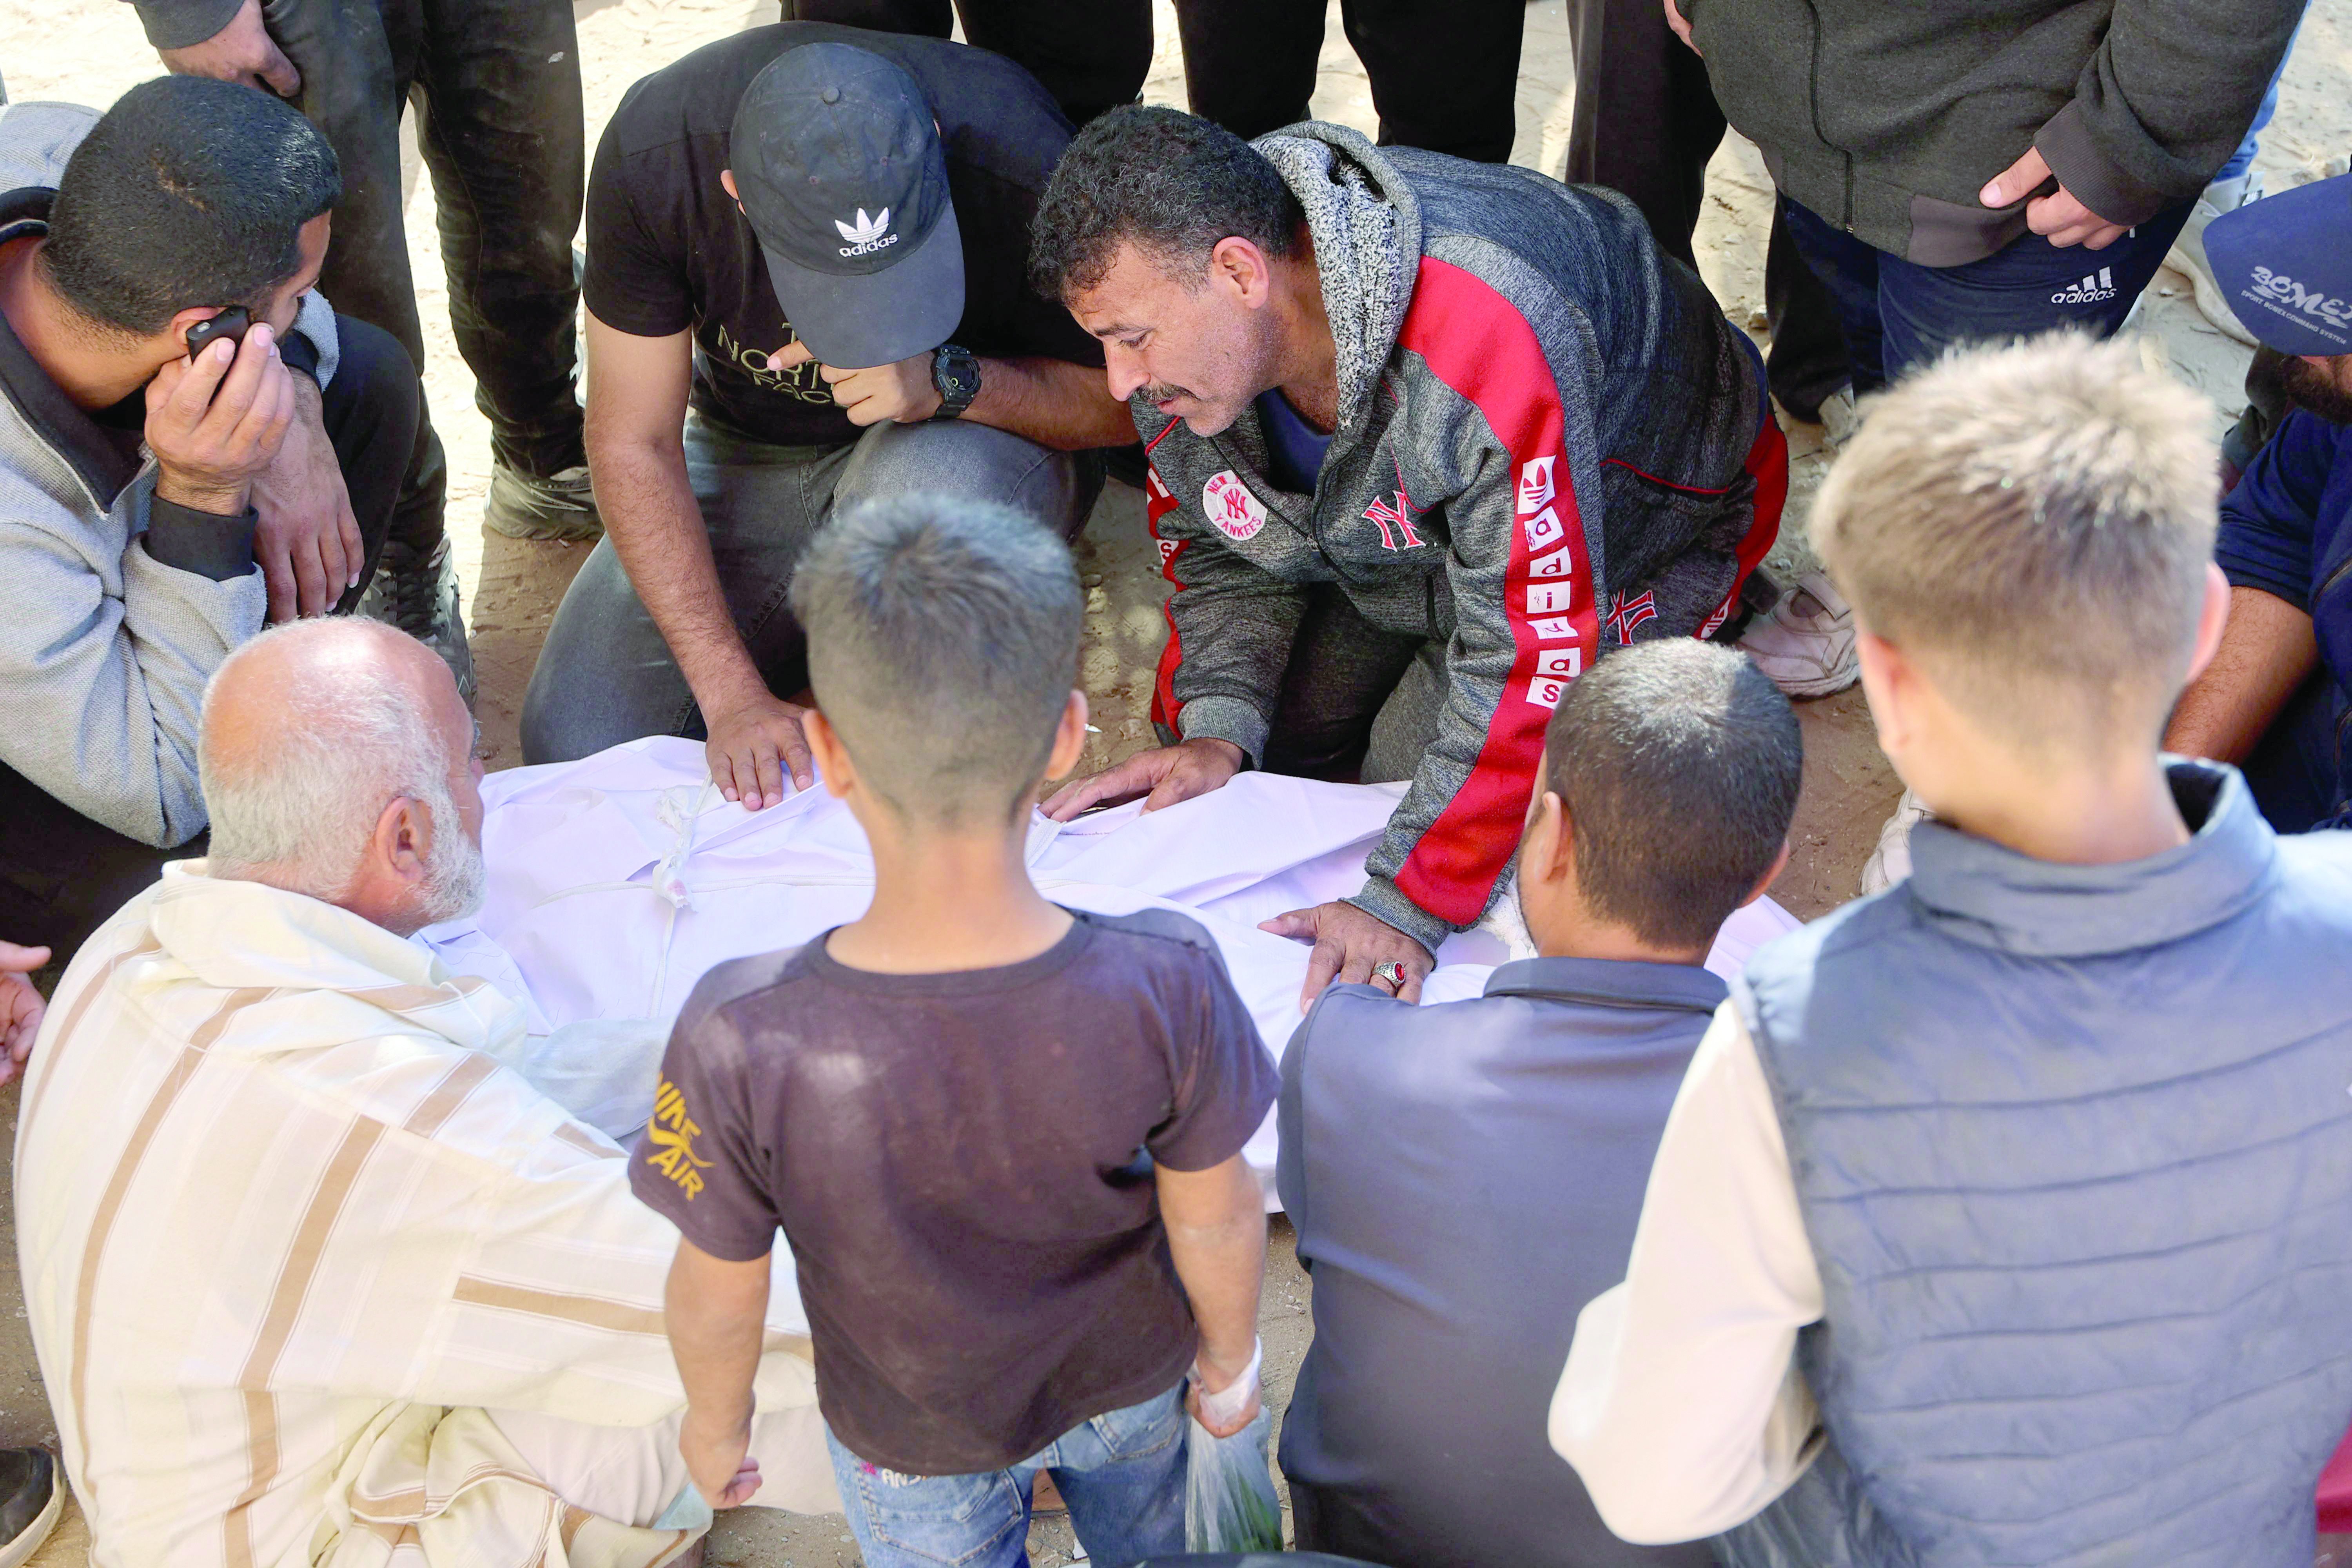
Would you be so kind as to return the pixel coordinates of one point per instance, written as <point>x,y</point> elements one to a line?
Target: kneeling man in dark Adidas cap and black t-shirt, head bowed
<point>803,290</point>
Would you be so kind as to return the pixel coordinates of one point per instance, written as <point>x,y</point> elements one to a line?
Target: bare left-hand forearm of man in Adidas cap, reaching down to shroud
<point>657,528</point>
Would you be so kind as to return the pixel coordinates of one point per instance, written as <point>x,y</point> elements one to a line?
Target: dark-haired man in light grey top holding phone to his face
<point>192,443</point>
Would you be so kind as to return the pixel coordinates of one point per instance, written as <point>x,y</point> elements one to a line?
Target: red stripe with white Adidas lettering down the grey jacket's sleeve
<point>1481,347</point>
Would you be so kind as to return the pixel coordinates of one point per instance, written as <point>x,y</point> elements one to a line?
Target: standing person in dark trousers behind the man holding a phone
<point>497,98</point>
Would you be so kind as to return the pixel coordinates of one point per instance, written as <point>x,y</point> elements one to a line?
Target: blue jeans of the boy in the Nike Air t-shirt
<point>1123,1477</point>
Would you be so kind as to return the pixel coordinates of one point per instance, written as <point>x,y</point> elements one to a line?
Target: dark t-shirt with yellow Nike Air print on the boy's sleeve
<point>963,1165</point>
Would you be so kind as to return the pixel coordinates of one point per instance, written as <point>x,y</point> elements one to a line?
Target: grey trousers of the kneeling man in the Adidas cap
<point>608,676</point>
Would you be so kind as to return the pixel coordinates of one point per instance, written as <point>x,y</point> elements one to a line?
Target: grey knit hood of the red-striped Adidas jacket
<point>1368,246</point>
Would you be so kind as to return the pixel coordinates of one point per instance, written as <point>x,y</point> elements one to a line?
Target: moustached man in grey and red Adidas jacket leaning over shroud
<point>1426,441</point>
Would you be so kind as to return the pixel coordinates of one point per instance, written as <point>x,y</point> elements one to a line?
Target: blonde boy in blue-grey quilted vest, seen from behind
<point>2007,1217</point>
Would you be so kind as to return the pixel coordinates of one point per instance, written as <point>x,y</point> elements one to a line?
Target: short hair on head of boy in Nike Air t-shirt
<point>942,650</point>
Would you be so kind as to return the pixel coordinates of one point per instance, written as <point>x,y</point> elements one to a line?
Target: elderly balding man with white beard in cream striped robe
<point>312,1275</point>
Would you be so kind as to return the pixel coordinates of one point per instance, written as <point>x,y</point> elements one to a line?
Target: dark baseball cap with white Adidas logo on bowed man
<point>838,168</point>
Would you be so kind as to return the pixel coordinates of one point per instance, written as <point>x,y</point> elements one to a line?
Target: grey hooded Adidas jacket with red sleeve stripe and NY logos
<point>1537,413</point>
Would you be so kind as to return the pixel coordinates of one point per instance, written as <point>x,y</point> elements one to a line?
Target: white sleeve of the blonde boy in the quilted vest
<point>1681,1405</point>
